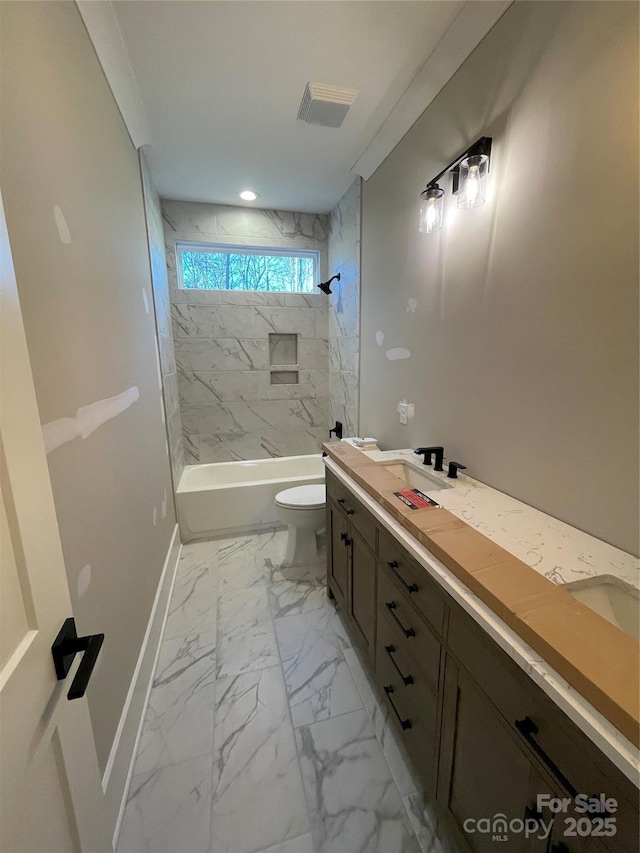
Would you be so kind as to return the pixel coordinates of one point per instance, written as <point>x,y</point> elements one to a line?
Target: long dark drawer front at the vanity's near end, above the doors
<point>568,756</point>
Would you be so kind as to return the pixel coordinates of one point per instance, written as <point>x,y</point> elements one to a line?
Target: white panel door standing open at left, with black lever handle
<point>50,791</point>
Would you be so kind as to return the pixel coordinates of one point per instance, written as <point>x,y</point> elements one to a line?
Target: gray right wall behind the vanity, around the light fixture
<point>524,341</point>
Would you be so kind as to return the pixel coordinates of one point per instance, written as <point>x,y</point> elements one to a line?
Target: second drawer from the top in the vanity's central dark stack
<point>411,636</point>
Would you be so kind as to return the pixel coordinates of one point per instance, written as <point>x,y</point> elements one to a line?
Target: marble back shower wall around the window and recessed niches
<point>229,408</point>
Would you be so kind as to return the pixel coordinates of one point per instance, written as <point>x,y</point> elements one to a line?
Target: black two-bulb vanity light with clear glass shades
<point>470,172</point>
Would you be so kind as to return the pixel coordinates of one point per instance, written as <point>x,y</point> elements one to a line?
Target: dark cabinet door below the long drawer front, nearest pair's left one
<point>483,776</point>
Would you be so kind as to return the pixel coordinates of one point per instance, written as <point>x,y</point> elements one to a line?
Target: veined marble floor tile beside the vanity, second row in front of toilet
<point>319,684</point>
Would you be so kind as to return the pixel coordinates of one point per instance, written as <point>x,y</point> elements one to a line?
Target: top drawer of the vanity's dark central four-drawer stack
<point>412,579</point>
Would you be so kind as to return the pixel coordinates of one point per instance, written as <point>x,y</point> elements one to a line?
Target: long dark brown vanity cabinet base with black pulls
<point>482,736</point>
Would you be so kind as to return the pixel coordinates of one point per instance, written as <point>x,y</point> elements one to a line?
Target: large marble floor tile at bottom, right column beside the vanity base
<point>353,801</point>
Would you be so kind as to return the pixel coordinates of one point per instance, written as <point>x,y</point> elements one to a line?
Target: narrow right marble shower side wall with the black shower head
<point>344,310</point>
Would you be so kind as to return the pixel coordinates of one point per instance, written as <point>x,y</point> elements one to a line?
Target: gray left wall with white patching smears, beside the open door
<point>64,146</point>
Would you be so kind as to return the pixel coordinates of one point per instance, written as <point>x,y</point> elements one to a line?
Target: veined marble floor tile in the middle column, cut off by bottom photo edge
<point>258,799</point>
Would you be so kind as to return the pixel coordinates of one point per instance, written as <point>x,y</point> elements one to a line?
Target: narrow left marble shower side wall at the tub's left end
<point>169,378</point>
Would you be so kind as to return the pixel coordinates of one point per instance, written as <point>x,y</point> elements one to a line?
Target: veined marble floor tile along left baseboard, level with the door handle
<point>179,719</point>
